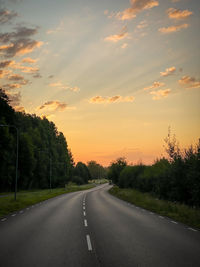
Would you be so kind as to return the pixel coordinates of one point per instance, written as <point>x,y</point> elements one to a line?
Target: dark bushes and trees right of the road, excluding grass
<point>176,178</point>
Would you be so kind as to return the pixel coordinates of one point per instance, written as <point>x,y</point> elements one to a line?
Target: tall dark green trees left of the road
<point>44,159</point>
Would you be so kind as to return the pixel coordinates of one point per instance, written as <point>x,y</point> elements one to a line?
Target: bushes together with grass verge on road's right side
<point>171,186</point>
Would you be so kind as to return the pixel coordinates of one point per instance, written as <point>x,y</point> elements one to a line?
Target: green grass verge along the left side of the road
<point>28,198</point>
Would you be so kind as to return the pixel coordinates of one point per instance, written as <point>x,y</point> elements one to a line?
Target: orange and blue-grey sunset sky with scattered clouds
<point>113,75</point>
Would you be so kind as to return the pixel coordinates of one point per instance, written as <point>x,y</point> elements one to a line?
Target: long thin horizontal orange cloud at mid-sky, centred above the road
<point>112,99</point>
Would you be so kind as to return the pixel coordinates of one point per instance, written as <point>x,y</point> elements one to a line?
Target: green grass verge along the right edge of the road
<point>179,212</point>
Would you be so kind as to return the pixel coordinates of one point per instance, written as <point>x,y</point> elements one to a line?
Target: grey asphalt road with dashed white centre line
<point>91,229</point>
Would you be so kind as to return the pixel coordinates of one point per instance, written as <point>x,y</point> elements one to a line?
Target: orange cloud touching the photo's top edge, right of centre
<point>136,7</point>
